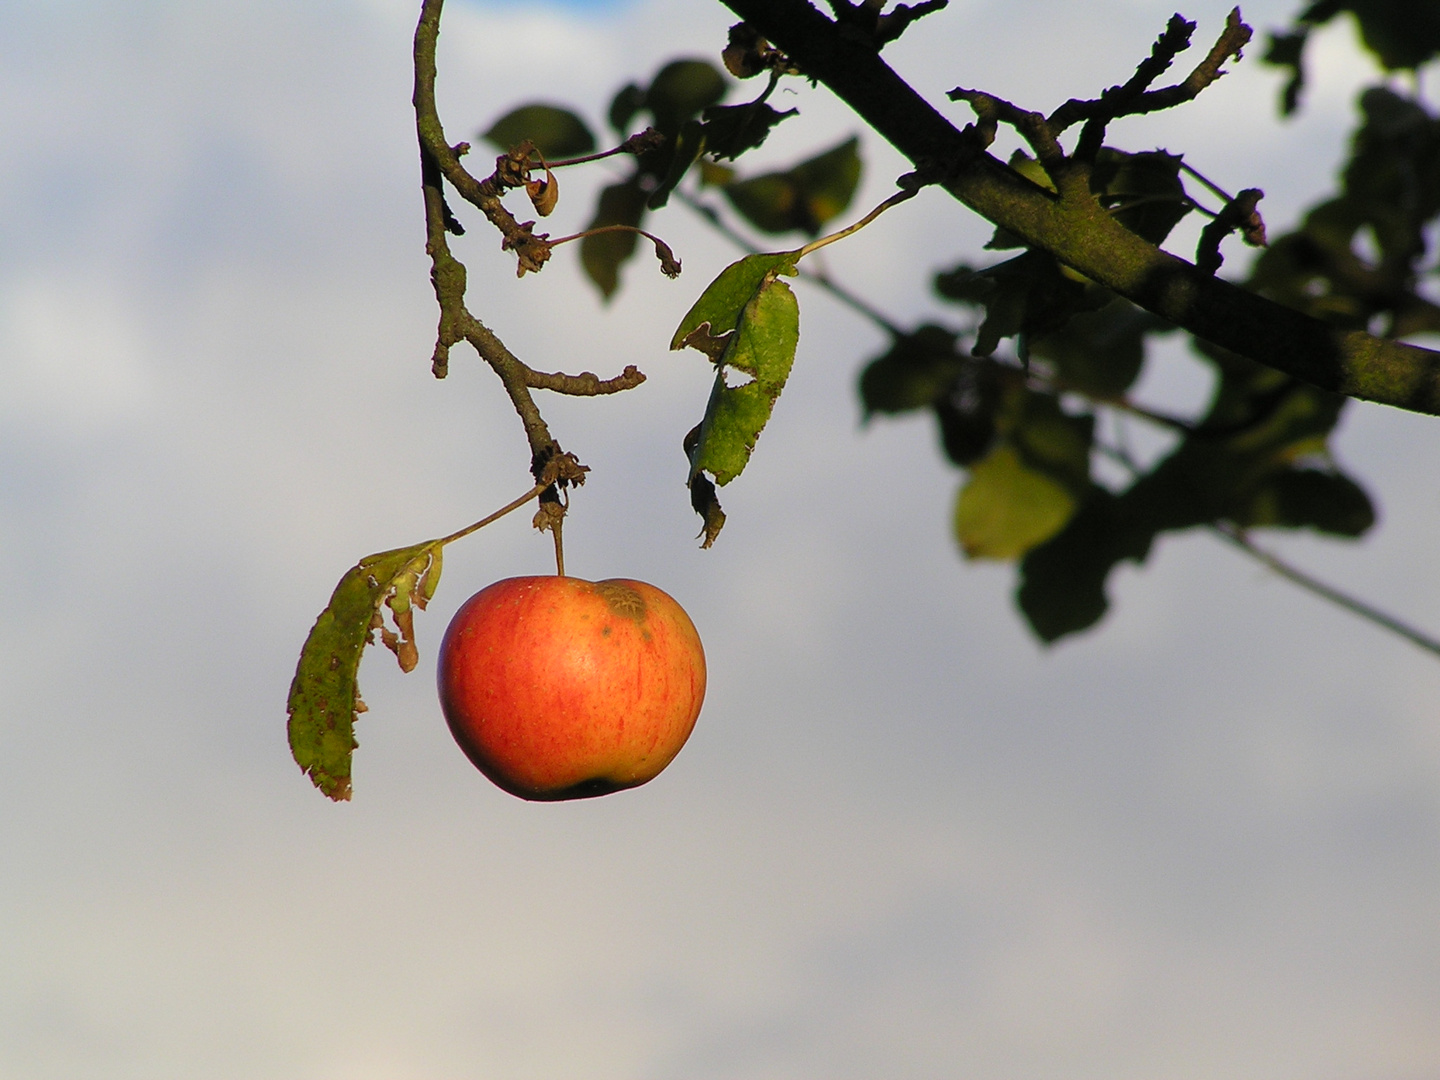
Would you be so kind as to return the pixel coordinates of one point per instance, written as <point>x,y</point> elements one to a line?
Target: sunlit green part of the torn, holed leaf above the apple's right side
<point>761,345</point>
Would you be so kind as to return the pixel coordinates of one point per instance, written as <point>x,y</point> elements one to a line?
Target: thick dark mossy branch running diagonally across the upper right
<point>1079,233</point>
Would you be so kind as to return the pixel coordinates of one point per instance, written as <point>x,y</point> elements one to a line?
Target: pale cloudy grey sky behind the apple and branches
<point>905,840</point>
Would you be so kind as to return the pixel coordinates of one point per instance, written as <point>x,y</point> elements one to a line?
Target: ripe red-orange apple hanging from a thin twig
<point>564,689</point>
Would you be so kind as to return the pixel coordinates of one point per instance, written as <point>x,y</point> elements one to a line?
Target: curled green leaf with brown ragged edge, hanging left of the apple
<point>325,696</point>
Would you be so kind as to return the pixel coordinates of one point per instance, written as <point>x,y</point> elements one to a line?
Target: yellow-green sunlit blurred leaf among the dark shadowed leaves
<point>1006,509</point>
